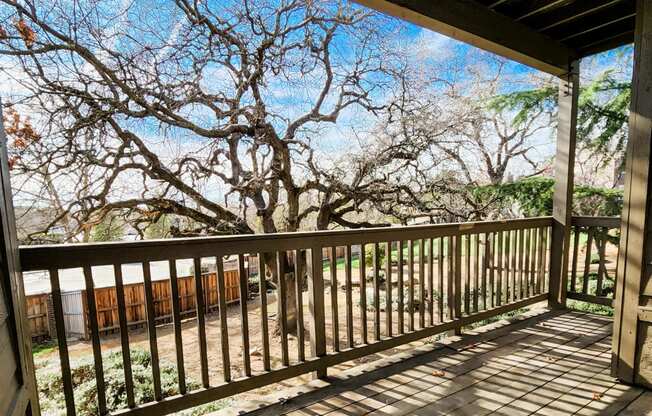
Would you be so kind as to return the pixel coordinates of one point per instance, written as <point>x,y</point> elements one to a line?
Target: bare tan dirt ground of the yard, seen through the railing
<point>167,351</point>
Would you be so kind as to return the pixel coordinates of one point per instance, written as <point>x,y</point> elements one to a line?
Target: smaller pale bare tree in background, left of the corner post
<point>454,139</point>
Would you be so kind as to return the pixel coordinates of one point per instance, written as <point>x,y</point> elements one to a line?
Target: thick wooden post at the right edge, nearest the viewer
<point>632,337</point>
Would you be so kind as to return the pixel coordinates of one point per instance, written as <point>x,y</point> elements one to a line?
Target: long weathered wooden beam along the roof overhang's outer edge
<point>473,23</point>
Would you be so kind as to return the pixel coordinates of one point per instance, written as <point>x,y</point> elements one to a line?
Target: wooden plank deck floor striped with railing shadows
<point>556,363</point>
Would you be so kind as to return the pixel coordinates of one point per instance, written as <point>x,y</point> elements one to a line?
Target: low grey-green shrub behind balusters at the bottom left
<point>50,384</point>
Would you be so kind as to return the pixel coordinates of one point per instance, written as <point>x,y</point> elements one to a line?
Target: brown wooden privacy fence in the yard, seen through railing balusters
<point>76,311</point>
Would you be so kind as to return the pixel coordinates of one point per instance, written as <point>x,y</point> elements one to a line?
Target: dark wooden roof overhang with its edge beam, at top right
<point>545,34</point>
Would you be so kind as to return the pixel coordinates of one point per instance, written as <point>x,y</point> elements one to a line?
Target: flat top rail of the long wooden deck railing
<point>63,256</point>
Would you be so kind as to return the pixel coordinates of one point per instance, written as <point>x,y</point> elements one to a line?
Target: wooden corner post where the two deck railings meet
<point>563,191</point>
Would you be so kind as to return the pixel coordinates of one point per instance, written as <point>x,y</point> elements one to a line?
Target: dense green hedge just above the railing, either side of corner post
<point>534,196</point>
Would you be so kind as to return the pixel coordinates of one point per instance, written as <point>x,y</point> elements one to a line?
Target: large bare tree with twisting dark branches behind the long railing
<point>182,109</point>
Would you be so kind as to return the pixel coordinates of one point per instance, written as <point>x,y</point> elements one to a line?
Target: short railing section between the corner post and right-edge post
<point>593,260</point>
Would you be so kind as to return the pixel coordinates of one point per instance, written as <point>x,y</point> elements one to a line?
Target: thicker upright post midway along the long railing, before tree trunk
<point>316,293</point>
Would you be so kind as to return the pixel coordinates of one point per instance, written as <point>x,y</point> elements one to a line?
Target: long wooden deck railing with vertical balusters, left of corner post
<point>442,278</point>
